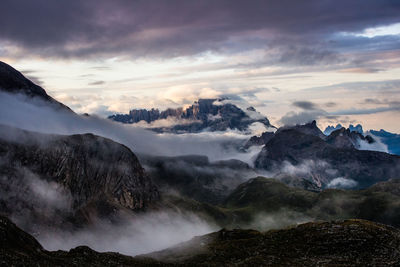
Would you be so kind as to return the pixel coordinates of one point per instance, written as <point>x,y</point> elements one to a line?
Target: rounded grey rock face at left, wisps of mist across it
<point>83,172</point>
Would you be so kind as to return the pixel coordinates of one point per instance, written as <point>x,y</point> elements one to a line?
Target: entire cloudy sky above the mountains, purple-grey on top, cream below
<point>293,60</point>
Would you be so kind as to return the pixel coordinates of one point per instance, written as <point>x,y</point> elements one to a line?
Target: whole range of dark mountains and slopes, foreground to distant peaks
<point>53,182</point>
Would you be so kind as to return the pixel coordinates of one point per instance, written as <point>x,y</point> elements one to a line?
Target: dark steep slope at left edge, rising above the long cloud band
<point>12,81</point>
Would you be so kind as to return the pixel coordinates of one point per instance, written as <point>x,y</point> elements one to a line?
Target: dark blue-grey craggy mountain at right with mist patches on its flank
<point>322,162</point>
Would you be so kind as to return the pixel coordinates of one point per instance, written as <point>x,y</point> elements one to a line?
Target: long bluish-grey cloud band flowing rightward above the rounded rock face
<point>36,115</point>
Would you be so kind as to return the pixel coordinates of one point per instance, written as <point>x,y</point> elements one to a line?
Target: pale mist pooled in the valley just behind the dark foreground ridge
<point>143,234</point>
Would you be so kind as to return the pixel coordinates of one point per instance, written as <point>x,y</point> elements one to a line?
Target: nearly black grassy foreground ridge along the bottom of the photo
<point>348,243</point>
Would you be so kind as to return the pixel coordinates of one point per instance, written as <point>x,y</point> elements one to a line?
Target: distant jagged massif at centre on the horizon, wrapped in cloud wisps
<point>204,114</point>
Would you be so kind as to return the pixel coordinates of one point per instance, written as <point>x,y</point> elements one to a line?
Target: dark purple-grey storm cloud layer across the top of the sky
<point>174,28</point>
